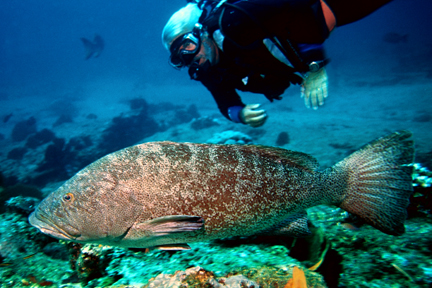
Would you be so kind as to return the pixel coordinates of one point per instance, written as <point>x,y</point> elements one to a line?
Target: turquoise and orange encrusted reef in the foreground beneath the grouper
<point>370,259</point>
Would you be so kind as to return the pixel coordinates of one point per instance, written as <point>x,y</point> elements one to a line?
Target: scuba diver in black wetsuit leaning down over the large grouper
<point>259,46</point>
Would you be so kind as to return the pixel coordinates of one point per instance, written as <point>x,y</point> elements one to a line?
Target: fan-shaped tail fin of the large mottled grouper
<point>379,182</point>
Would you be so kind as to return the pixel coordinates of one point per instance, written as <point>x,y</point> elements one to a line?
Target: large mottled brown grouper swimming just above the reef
<point>165,194</point>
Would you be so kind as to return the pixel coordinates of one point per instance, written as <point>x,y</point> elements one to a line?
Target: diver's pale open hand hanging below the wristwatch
<point>314,88</point>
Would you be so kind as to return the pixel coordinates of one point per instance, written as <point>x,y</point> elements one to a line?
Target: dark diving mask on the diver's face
<point>185,48</point>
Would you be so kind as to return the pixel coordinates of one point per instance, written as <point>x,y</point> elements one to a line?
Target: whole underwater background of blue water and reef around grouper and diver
<point>60,112</point>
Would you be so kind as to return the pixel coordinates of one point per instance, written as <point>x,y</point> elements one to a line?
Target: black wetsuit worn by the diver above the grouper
<point>247,65</point>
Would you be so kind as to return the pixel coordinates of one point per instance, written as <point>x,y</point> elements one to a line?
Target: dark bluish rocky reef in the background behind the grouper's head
<point>39,157</point>
